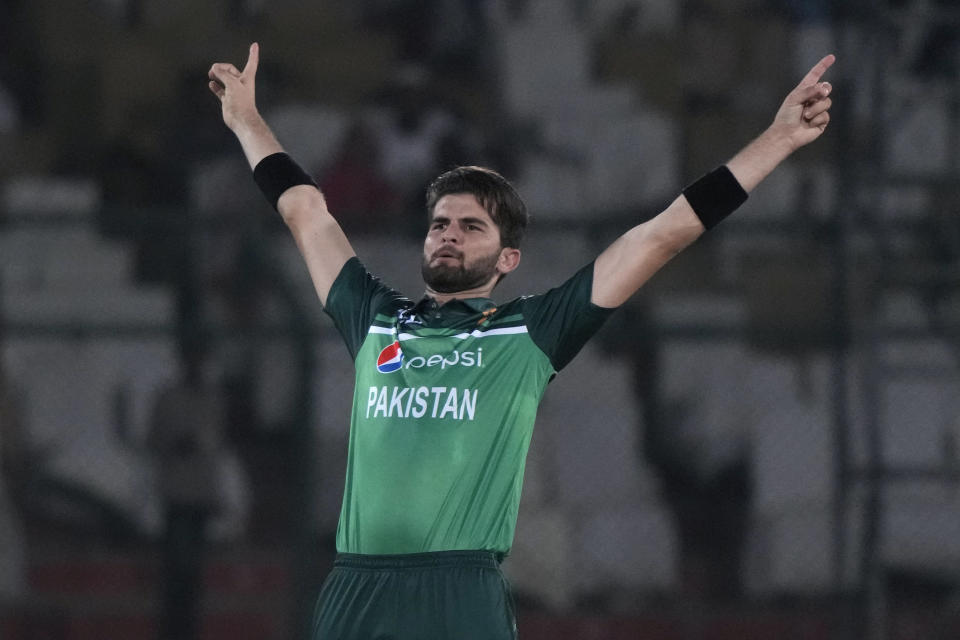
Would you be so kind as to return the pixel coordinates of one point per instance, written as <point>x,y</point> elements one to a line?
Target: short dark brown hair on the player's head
<point>492,191</point>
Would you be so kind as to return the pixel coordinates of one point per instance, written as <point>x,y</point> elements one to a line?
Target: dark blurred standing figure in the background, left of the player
<point>186,436</point>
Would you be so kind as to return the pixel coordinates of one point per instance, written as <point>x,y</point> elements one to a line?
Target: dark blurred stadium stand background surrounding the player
<point>763,443</point>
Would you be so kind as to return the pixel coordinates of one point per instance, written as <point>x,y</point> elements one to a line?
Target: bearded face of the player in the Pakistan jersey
<point>462,249</point>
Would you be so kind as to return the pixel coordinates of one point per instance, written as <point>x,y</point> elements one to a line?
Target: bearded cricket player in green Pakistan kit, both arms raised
<point>447,388</point>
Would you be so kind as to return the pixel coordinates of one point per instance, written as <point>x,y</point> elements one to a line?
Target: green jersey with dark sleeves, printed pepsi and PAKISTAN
<point>444,407</point>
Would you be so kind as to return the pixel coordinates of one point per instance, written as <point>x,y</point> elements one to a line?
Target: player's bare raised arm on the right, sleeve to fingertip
<point>639,253</point>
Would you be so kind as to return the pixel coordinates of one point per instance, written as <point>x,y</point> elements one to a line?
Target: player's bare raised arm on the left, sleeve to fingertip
<point>318,236</point>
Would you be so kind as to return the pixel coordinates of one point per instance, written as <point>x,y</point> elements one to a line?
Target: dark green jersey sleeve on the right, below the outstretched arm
<point>563,319</point>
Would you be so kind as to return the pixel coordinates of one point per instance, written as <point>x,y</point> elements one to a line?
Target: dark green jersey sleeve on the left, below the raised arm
<point>355,299</point>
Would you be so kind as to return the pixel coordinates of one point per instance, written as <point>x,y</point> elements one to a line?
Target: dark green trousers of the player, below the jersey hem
<point>445,595</point>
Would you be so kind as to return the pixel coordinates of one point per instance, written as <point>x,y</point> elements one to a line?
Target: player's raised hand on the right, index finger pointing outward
<point>804,114</point>
